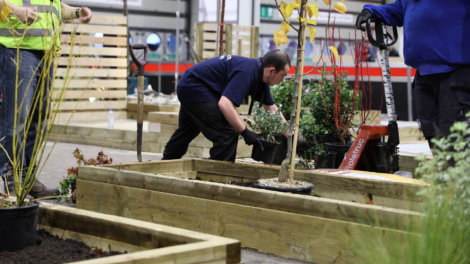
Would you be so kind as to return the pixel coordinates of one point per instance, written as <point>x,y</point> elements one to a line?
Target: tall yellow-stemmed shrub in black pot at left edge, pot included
<point>18,216</point>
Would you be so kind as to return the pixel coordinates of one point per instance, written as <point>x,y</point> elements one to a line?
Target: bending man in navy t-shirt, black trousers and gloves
<point>209,93</point>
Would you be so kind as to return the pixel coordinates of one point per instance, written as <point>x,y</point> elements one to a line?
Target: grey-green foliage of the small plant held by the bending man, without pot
<point>268,124</point>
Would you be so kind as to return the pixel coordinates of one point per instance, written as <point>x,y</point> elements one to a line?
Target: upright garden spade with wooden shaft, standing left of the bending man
<point>140,93</point>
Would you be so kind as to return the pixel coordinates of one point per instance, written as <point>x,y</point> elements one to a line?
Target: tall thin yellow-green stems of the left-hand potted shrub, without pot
<point>24,174</point>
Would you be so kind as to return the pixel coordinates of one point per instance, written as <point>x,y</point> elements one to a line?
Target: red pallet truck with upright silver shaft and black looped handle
<point>369,151</point>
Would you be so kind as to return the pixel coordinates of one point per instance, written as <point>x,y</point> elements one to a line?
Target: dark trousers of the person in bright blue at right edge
<point>441,100</point>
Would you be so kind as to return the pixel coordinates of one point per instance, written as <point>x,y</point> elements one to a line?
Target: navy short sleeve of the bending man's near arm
<point>238,87</point>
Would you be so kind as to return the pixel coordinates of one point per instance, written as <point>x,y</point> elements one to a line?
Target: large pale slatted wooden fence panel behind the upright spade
<point>97,79</point>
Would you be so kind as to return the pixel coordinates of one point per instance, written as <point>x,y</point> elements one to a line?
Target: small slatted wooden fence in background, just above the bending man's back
<point>206,38</point>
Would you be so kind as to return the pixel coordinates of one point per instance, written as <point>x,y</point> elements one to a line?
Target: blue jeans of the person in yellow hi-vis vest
<point>26,89</point>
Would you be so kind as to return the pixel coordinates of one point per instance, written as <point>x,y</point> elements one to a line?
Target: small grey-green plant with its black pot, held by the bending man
<point>269,125</point>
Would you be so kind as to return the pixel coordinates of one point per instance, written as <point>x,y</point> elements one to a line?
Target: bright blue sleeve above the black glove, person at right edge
<point>392,14</point>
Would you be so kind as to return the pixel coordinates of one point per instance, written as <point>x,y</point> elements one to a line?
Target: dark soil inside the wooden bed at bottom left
<point>50,249</point>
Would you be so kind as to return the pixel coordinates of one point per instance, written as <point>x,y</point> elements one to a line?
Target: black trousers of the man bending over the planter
<point>206,118</point>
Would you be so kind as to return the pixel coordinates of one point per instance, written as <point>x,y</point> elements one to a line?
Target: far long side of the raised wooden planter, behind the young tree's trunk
<point>385,193</point>
